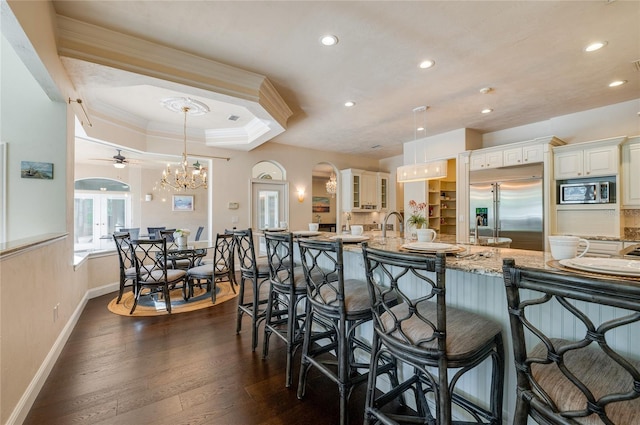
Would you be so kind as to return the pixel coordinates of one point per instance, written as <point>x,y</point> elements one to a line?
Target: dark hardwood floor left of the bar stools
<point>188,368</point>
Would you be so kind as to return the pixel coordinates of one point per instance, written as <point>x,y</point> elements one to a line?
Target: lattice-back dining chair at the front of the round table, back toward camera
<point>152,273</point>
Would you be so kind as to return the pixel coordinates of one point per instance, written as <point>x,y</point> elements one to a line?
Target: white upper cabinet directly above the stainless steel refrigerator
<point>521,153</point>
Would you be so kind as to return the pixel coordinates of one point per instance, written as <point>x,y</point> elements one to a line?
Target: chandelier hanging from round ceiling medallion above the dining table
<point>185,177</point>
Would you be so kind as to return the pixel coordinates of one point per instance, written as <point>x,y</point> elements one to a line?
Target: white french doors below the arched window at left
<point>97,216</point>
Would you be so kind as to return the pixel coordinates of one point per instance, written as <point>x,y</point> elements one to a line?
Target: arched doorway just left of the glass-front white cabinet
<point>325,197</point>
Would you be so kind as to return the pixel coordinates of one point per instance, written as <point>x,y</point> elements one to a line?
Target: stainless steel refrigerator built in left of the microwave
<point>507,203</point>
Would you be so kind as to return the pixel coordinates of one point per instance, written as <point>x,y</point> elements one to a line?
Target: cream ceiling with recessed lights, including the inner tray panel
<point>530,53</point>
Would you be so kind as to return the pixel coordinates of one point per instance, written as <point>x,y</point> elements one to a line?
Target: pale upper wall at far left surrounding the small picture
<point>34,129</point>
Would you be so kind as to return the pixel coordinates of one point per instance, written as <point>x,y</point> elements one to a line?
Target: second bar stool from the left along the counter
<point>285,312</point>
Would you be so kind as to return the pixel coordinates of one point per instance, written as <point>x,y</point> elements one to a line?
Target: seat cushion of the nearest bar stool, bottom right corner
<point>599,372</point>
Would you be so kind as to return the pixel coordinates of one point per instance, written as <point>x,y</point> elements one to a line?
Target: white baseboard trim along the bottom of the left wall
<point>25,403</point>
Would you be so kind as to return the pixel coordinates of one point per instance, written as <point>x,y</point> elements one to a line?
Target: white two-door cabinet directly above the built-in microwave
<point>586,160</point>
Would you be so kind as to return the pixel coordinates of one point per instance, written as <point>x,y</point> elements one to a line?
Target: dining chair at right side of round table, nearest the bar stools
<point>222,268</point>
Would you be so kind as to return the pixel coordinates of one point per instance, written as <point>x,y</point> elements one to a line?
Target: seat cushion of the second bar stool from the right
<point>466,332</point>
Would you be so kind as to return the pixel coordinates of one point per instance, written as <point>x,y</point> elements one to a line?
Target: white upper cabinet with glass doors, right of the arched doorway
<point>364,190</point>
